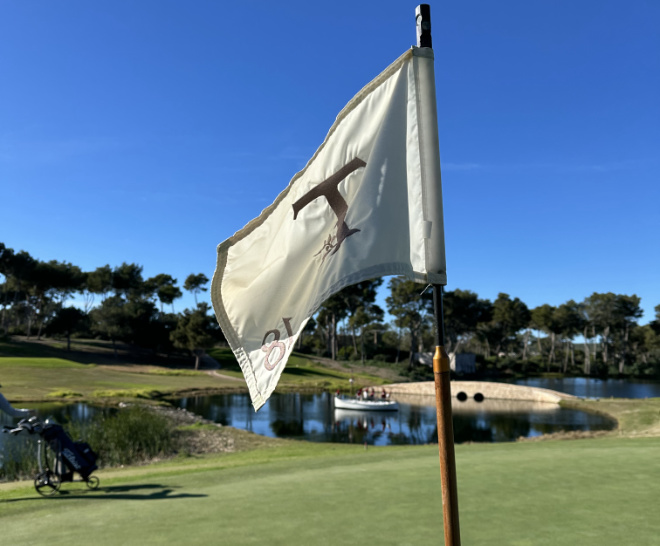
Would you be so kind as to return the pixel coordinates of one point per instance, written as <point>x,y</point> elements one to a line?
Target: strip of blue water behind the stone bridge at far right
<point>589,387</point>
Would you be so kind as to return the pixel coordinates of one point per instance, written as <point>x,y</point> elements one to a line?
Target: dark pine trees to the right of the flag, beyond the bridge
<point>599,335</point>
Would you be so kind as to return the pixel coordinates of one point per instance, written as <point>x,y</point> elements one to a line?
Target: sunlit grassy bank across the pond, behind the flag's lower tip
<point>45,371</point>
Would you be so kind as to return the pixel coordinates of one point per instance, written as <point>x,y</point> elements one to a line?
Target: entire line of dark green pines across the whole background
<point>598,336</point>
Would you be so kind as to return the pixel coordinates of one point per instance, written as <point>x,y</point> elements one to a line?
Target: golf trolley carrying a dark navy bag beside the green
<point>58,456</point>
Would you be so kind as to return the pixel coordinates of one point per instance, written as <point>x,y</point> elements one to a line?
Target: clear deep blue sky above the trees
<point>151,131</point>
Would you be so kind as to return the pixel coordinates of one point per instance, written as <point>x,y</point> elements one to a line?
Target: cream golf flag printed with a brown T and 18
<point>360,209</point>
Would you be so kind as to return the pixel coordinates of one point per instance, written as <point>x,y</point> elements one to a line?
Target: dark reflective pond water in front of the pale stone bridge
<point>312,417</point>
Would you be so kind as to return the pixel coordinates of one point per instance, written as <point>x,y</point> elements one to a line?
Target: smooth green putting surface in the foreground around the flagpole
<point>581,492</point>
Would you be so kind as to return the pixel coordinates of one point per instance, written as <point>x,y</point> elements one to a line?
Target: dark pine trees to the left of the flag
<point>119,305</point>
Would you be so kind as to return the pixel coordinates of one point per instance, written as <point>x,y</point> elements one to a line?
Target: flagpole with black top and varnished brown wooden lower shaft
<point>441,363</point>
